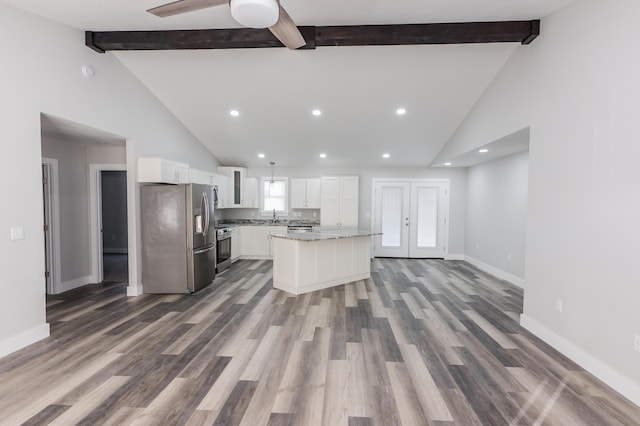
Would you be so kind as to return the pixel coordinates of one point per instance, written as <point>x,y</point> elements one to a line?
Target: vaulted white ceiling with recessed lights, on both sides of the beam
<point>358,89</point>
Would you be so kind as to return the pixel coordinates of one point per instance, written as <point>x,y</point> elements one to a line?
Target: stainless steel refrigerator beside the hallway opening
<point>178,238</point>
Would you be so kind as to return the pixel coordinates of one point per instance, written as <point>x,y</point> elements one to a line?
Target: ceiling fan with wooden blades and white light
<point>250,13</point>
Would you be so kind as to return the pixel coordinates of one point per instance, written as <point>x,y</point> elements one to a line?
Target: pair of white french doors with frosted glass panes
<point>412,217</point>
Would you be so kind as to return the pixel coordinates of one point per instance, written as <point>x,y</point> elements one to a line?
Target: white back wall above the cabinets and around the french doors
<point>456,176</point>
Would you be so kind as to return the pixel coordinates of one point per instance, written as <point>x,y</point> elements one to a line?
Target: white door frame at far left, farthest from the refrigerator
<point>52,209</point>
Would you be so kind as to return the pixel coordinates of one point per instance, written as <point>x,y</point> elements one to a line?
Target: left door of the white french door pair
<point>392,219</point>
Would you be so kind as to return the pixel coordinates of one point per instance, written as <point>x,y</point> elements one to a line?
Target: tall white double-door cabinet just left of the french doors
<point>339,201</point>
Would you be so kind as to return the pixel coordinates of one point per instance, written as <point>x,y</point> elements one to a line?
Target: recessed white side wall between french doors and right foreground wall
<point>497,213</point>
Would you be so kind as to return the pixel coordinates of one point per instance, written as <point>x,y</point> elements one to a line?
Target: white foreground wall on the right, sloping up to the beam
<point>577,86</point>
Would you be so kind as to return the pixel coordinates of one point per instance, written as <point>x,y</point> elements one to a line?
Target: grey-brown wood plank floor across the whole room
<point>423,342</point>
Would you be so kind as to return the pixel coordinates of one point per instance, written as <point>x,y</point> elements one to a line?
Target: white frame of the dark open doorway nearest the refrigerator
<point>95,215</point>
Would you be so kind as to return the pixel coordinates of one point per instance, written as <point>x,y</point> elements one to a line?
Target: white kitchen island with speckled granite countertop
<point>305,262</point>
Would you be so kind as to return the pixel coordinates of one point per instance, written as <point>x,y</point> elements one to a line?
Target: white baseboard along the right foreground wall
<point>610,376</point>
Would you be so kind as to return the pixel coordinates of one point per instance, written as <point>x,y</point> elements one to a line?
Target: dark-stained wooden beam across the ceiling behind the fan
<point>353,35</point>
